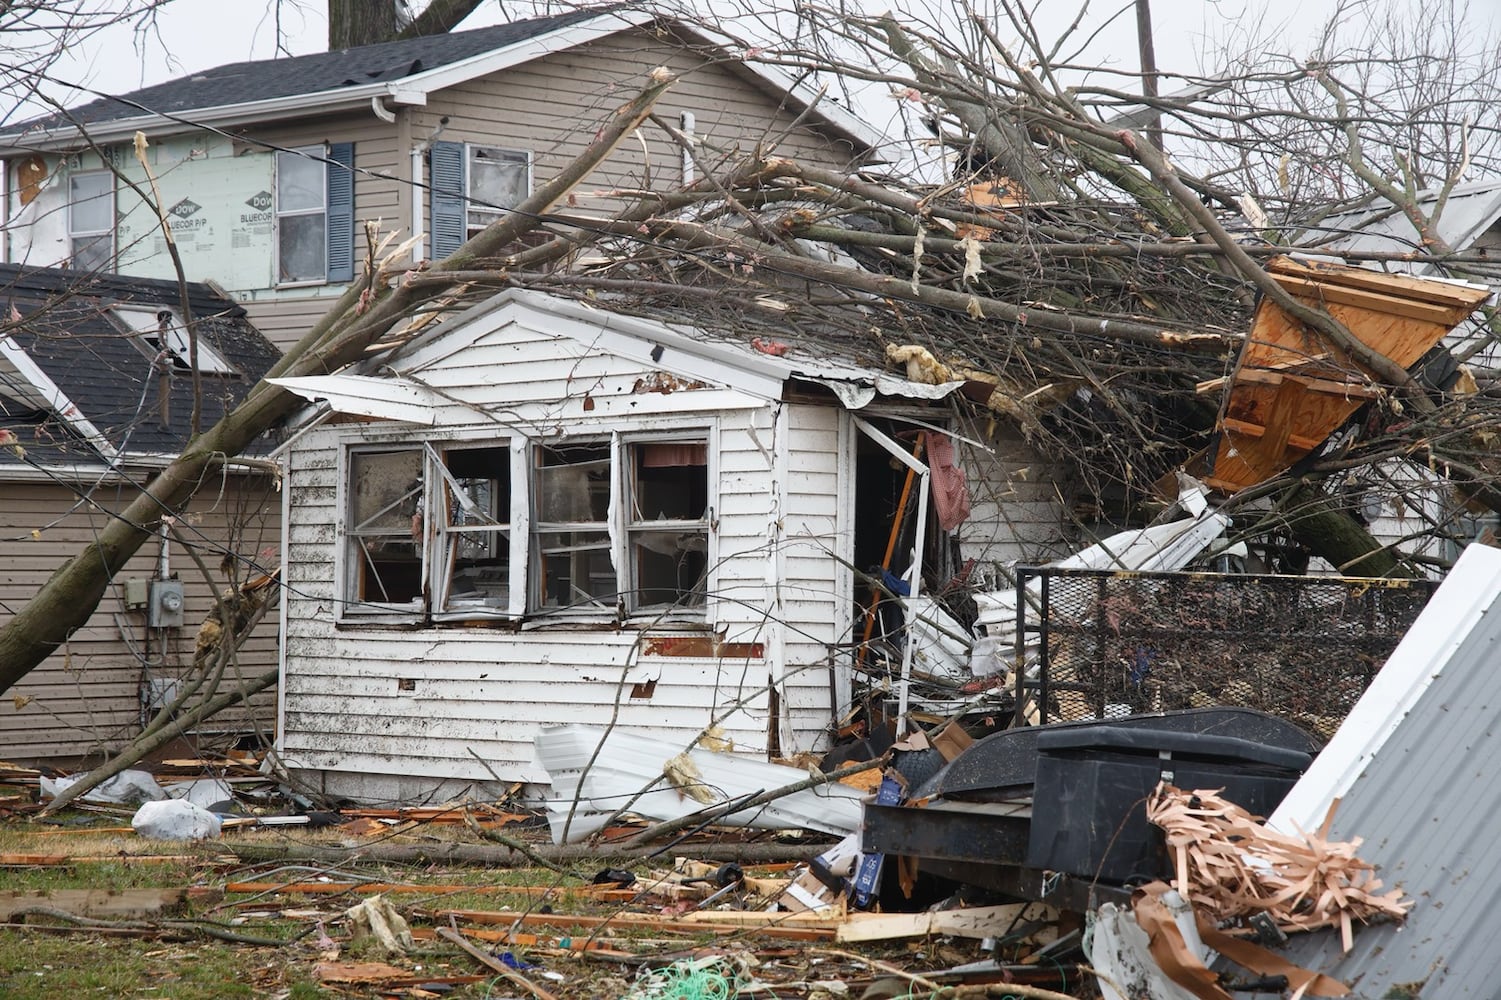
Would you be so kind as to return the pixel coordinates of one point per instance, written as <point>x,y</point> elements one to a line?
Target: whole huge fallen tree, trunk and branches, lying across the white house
<point>1063,258</point>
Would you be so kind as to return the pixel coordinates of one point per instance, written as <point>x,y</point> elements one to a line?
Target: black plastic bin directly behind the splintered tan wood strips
<point>1092,788</point>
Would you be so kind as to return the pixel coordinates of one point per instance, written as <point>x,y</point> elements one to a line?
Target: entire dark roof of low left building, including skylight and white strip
<point>97,367</point>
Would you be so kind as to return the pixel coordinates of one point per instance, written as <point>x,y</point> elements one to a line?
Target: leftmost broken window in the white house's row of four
<point>385,531</point>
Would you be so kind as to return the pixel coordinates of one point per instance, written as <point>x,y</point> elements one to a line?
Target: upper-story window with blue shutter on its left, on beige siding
<point>474,187</point>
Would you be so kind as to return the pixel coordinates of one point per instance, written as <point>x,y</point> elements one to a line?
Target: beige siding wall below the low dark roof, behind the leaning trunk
<point>85,700</point>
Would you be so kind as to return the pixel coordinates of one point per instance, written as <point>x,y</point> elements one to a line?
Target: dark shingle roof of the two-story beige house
<point>269,79</point>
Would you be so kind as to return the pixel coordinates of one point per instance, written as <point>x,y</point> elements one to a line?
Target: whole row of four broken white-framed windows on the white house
<point>597,528</point>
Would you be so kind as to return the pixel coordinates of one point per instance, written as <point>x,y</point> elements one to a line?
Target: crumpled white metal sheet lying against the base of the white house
<point>628,764</point>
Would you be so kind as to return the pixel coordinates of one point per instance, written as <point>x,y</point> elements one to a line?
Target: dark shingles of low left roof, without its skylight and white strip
<point>109,375</point>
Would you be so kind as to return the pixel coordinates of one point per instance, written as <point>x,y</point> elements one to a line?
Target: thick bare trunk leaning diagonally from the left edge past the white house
<point>70,597</point>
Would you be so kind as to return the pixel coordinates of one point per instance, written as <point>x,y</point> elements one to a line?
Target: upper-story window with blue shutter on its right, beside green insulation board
<point>314,214</point>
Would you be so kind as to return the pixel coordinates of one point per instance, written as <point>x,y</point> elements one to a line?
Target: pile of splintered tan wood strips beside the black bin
<point>1232,867</point>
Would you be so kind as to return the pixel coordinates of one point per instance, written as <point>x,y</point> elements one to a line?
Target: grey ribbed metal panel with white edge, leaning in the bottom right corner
<point>1418,771</point>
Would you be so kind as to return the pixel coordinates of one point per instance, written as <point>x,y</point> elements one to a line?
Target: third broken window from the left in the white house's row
<point>571,550</point>
